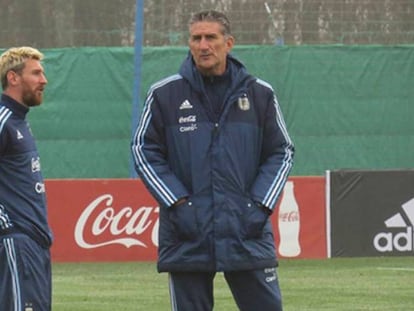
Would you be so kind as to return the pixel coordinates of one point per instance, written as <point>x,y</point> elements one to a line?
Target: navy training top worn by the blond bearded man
<point>22,189</point>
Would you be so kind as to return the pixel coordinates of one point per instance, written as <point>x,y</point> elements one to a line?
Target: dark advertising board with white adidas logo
<point>371,213</point>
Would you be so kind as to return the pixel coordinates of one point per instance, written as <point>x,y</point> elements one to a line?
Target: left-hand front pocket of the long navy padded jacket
<point>184,220</point>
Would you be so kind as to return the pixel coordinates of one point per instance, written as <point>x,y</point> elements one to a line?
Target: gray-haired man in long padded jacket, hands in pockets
<point>213,149</point>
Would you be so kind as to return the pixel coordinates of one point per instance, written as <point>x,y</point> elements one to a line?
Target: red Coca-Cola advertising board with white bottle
<point>117,220</point>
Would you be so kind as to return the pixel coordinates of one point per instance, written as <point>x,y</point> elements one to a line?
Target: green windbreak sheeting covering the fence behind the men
<point>345,106</point>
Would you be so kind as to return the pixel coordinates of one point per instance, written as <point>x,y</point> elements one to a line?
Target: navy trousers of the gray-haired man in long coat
<point>252,290</point>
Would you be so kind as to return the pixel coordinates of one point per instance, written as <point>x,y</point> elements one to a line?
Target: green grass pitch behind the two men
<point>352,284</point>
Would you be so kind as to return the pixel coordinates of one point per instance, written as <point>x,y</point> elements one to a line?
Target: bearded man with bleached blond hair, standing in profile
<point>25,236</point>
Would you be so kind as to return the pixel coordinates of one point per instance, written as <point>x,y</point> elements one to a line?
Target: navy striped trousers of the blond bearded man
<point>25,274</point>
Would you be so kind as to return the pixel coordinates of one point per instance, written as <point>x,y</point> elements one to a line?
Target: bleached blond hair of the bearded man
<point>14,59</point>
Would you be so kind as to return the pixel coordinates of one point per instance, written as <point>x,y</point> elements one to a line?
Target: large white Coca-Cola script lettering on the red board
<point>101,224</point>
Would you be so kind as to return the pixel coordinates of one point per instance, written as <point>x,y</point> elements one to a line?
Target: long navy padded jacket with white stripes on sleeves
<point>225,169</point>
